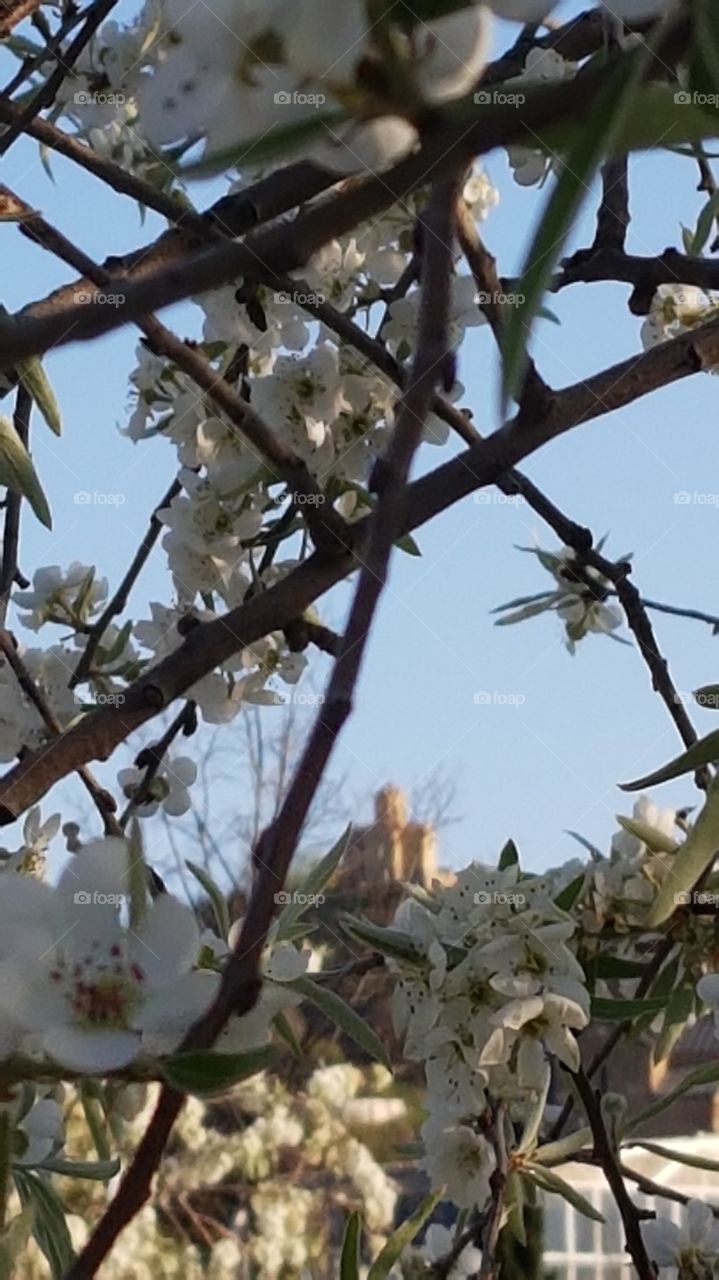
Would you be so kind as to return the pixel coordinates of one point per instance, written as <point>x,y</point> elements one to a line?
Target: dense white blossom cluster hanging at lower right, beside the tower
<point>491,990</point>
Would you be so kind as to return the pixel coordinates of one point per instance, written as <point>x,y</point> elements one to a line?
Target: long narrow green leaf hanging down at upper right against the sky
<point>573,186</point>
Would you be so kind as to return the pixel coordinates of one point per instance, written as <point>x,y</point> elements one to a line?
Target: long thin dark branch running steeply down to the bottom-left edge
<point>273,854</point>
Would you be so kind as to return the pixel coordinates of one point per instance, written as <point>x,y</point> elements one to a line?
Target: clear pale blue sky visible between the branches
<point>587,723</point>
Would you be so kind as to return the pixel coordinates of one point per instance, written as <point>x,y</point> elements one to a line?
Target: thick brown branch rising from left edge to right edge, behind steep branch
<point>210,644</point>
